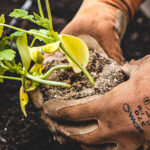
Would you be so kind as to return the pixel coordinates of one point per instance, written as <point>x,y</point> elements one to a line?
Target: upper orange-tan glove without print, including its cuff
<point>106,21</point>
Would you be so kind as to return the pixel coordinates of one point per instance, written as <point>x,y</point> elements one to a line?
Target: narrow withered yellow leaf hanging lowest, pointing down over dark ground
<point>23,100</point>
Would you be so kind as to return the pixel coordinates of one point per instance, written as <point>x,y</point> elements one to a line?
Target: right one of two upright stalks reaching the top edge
<point>49,15</point>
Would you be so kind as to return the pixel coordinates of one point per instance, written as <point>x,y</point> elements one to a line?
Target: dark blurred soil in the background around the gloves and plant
<point>19,133</point>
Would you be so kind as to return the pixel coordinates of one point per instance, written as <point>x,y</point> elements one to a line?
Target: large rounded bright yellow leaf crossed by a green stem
<point>78,49</point>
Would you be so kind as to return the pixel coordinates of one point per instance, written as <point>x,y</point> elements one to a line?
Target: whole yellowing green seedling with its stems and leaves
<point>75,50</point>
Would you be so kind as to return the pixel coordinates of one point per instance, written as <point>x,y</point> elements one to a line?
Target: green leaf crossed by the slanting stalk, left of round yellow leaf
<point>42,32</point>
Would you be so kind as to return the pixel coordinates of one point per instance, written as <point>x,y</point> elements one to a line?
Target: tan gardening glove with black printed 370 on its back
<point>121,116</point>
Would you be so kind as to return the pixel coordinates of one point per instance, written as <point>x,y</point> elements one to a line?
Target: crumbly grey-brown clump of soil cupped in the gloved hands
<point>105,72</point>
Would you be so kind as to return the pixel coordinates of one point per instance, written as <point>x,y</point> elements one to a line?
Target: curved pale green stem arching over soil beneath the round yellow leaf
<point>51,70</point>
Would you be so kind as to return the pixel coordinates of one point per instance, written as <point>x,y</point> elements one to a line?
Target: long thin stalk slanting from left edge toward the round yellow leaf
<point>25,31</point>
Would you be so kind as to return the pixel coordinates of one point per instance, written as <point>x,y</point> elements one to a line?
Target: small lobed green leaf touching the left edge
<point>7,54</point>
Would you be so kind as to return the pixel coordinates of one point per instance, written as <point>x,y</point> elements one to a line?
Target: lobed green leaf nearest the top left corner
<point>19,13</point>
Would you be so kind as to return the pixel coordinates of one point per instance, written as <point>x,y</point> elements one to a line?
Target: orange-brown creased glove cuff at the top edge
<point>129,7</point>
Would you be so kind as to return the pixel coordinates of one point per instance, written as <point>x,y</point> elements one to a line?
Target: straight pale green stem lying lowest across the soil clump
<point>53,83</point>
